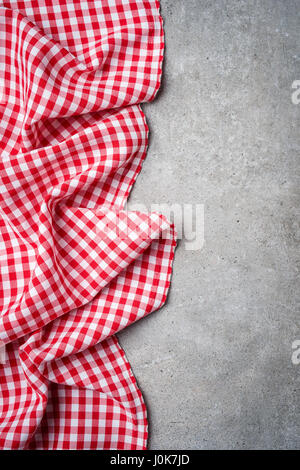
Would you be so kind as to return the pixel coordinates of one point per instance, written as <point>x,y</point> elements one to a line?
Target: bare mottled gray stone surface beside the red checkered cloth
<point>214,363</point>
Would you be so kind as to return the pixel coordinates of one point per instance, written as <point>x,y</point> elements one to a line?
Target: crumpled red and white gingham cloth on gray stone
<point>75,266</point>
